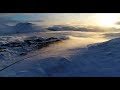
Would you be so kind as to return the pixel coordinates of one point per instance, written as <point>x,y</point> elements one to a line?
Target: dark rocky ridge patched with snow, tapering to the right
<point>27,45</point>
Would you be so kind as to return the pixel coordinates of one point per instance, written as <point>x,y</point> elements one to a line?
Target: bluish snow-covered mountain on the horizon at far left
<point>20,28</point>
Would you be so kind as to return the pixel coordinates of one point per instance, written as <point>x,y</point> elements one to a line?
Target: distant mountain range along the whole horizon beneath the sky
<point>29,27</point>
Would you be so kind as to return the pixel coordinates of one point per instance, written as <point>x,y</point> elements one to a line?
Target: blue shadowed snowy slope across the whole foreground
<point>102,59</point>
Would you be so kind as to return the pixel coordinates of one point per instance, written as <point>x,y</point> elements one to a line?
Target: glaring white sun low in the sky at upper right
<point>106,20</point>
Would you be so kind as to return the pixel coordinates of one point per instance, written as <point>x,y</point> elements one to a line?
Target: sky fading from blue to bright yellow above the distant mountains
<point>77,19</point>
